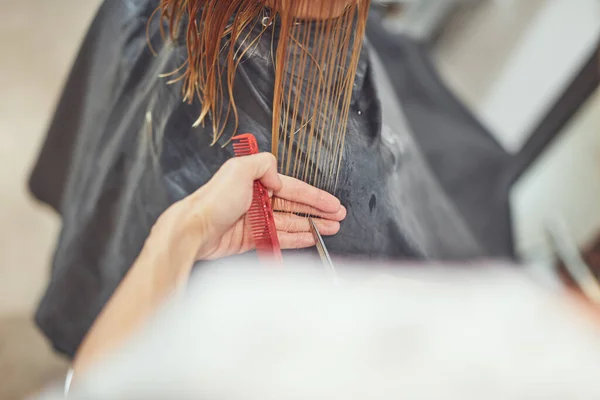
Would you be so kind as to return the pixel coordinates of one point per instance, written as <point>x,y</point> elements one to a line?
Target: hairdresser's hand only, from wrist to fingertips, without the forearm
<point>213,219</point>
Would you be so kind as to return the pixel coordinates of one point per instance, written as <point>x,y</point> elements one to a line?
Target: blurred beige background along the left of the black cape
<point>38,40</point>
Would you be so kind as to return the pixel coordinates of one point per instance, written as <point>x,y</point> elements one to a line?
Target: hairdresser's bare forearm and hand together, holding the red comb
<point>210,223</point>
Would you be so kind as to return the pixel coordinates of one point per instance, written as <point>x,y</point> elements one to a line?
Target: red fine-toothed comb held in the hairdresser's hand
<point>260,215</point>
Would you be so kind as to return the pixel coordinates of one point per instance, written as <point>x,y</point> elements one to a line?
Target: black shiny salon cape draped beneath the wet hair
<point>421,177</point>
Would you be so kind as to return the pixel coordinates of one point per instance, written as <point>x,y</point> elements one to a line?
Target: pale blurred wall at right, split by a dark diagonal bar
<point>509,60</point>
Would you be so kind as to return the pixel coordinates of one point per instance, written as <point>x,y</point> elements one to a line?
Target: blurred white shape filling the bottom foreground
<point>275,334</point>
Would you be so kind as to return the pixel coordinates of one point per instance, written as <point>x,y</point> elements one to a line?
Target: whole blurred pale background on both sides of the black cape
<point>526,68</point>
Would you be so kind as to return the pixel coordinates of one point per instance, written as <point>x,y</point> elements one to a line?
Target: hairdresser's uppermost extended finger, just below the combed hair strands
<point>301,192</point>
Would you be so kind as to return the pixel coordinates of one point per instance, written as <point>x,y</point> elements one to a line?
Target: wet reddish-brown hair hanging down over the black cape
<point>315,67</point>
